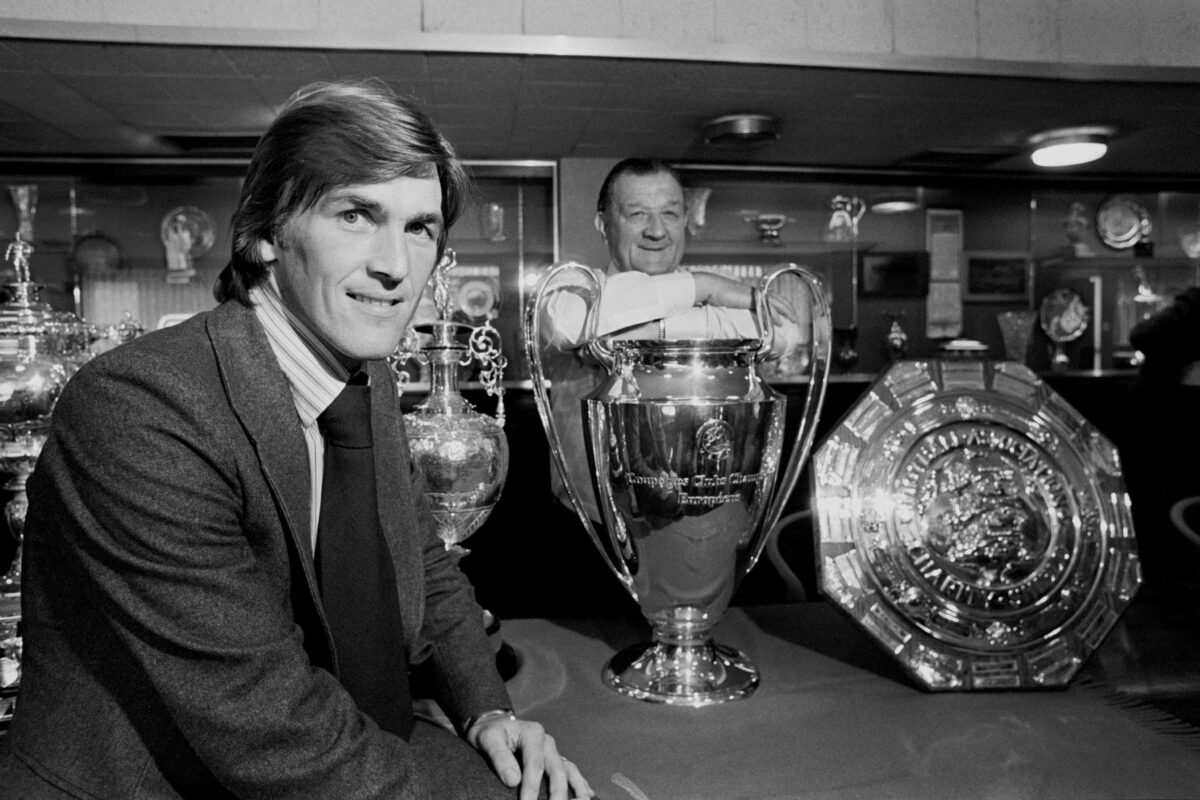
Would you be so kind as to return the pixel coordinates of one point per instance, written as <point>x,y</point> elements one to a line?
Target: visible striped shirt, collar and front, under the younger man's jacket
<point>314,372</point>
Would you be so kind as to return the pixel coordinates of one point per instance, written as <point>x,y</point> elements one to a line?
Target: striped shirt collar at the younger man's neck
<point>314,372</point>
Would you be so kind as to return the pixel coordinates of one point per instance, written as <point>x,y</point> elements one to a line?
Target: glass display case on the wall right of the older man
<point>1127,249</point>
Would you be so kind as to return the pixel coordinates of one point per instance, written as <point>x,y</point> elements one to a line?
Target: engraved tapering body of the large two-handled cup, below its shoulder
<point>689,484</point>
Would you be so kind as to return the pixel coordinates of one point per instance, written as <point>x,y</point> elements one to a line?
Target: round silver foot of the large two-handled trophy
<point>682,675</point>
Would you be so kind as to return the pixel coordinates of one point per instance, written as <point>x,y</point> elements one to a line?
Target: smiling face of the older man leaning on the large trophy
<point>645,224</point>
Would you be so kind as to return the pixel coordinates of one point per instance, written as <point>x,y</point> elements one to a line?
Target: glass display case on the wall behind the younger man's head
<point>147,244</point>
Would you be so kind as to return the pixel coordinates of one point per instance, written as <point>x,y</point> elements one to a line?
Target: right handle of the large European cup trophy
<point>819,380</point>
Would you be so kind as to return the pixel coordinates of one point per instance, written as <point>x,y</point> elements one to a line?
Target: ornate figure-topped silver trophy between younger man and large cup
<point>464,454</point>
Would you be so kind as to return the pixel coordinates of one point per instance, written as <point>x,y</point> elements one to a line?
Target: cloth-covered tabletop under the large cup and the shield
<point>836,718</point>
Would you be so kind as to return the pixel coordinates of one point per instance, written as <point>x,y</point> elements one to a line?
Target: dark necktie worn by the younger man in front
<point>355,567</point>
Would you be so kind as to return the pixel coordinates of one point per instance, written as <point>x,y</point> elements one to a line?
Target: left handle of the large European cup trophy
<point>541,384</point>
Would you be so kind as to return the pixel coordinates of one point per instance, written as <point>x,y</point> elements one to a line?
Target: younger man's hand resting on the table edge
<point>503,738</point>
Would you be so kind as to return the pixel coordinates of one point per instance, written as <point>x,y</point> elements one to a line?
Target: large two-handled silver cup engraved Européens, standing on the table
<point>686,443</point>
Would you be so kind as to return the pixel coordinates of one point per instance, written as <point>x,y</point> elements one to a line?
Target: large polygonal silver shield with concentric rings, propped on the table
<point>975,525</point>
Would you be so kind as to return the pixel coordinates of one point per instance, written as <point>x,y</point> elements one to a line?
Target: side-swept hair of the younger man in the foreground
<point>329,136</point>
